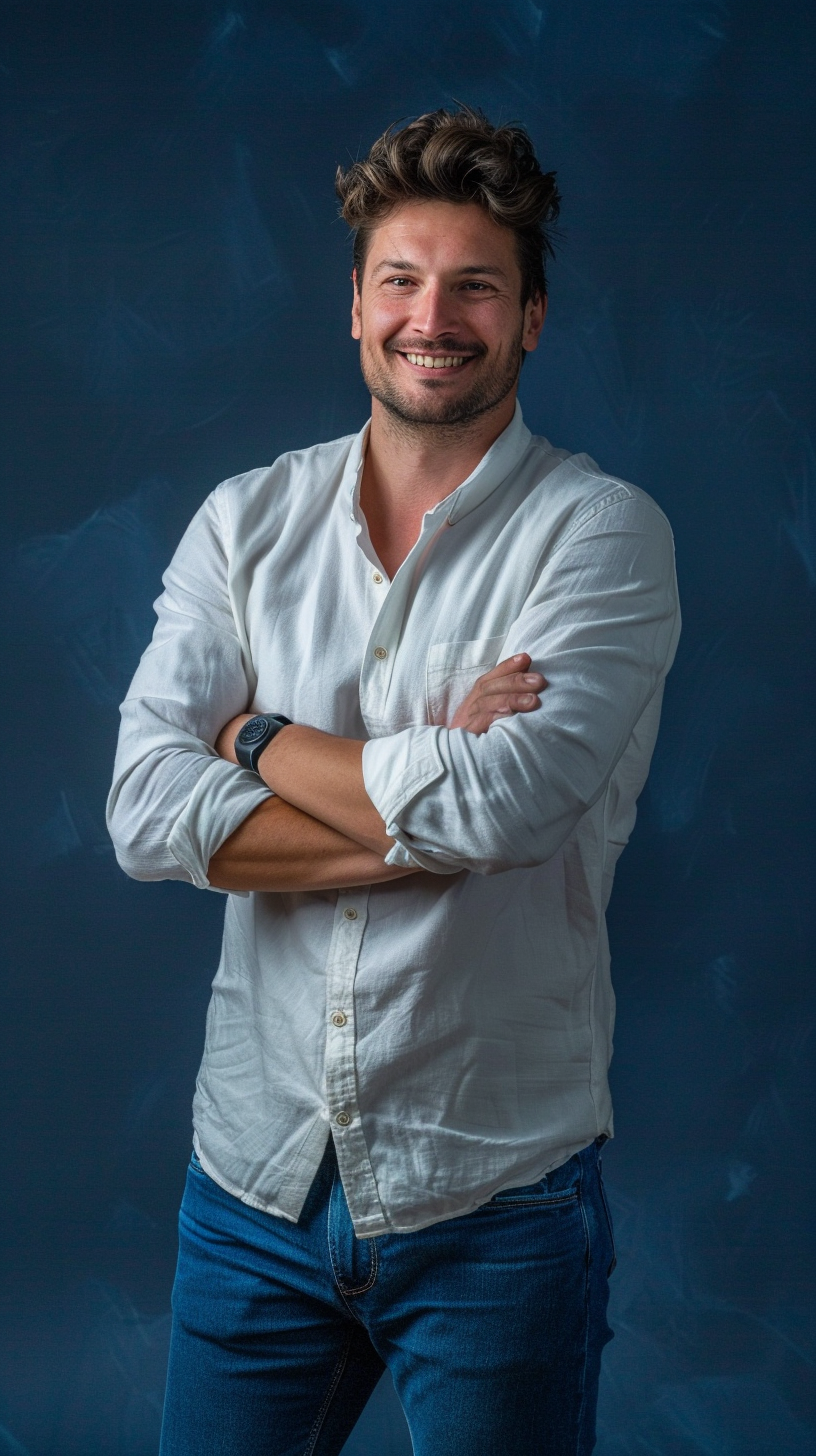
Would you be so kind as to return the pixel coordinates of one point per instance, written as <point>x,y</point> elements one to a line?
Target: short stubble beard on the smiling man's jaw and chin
<point>436,414</point>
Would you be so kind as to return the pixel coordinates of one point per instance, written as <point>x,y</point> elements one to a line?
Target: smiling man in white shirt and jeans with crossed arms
<point>400,704</point>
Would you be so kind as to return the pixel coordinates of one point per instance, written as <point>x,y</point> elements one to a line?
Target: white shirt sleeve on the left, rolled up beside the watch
<point>174,802</point>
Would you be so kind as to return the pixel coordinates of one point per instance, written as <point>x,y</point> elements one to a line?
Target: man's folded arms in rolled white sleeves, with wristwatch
<point>502,787</point>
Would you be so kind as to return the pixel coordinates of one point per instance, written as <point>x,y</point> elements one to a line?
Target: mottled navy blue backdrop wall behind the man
<point>177,293</point>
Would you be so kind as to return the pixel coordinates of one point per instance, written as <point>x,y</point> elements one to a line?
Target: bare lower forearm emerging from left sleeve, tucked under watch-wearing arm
<point>279,848</point>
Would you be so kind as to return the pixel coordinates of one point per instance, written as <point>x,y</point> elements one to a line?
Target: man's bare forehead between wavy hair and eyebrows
<point>442,235</point>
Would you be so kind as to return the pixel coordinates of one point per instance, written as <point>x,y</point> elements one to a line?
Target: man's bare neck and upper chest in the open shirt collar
<point>412,468</point>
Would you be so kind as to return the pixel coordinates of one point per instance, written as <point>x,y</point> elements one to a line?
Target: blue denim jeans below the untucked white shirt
<point>490,1324</point>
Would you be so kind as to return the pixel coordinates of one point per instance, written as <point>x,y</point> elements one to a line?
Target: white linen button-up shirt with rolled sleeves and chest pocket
<point>451,1030</point>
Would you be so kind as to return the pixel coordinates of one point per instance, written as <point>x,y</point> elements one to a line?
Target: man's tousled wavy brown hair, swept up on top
<point>457,157</point>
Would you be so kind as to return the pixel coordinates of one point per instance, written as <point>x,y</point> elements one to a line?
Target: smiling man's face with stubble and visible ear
<point>439,314</point>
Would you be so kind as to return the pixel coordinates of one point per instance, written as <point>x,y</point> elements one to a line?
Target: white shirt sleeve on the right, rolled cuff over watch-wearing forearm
<point>603,625</point>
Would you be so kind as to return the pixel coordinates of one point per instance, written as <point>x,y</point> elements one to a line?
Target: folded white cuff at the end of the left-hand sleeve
<point>221,802</point>
